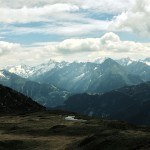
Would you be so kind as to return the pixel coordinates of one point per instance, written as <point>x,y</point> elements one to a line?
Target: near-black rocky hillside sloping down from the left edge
<point>14,102</point>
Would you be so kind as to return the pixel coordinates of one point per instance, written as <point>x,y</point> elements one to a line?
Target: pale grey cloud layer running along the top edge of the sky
<point>108,6</point>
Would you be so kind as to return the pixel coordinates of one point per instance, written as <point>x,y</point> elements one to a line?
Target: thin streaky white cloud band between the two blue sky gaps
<point>86,26</point>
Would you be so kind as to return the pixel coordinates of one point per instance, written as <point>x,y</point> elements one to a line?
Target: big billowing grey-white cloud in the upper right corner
<point>136,19</point>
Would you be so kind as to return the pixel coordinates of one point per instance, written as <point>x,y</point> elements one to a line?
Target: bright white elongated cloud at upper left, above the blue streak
<point>36,14</point>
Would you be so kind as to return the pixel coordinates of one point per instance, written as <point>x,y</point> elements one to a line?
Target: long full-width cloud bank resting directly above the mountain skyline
<point>109,45</point>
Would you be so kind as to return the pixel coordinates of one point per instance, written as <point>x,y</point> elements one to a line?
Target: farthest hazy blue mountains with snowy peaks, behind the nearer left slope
<point>100,76</point>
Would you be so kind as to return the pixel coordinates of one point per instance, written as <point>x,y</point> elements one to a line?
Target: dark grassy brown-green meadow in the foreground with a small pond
<point>54,131</point>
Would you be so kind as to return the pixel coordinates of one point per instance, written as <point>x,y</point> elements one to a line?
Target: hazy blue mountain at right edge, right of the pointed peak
<point>141,69</point>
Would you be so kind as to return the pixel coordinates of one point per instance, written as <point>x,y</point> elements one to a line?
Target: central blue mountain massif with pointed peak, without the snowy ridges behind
<point>89,77</point>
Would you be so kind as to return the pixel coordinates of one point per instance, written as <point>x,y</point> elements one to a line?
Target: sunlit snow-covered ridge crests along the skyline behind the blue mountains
<point>27,71</point>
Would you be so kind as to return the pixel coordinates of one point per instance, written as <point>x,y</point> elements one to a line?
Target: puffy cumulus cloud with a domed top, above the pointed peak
<point>110,42</point>
